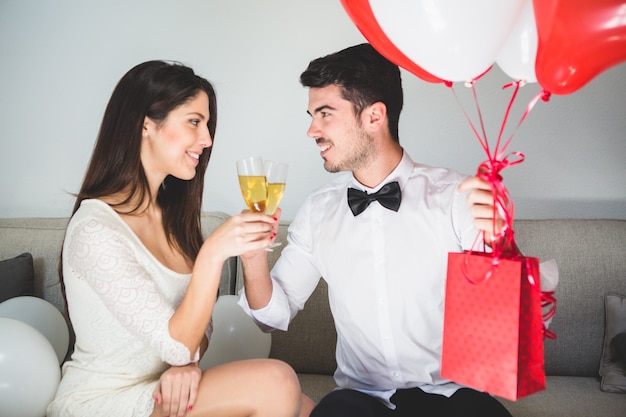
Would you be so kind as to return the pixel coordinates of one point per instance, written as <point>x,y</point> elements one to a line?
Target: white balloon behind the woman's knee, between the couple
<point>235,335</point>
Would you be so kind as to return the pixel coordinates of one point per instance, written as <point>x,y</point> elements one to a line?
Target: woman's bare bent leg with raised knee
<point>251,388</point>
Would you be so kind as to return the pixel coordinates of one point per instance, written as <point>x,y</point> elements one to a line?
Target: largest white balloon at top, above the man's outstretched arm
<point>455,40</point>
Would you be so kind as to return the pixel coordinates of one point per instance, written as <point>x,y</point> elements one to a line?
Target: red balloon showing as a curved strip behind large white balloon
<point>362,16</point>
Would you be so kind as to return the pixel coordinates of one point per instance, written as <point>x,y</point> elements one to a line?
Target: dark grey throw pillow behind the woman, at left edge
<point>16,276</point>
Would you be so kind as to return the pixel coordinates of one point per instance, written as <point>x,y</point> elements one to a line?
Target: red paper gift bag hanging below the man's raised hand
<point>493,331</point>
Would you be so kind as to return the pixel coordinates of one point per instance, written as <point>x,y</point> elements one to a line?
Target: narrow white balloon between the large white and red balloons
<point>517,56</point>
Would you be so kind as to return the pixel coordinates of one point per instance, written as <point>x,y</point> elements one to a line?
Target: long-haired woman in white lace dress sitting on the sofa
<point>140,281</point>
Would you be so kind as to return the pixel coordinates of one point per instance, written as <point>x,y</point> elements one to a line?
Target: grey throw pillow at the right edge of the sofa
<point>612,368</point>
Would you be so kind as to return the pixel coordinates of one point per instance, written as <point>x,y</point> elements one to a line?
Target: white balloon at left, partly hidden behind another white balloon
<point>43,316</point>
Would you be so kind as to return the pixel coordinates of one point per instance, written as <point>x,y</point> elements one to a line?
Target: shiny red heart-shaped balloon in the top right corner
<point>577,40</point>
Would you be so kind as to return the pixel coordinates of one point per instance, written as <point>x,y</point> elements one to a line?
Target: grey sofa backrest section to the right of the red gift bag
<point>591,256</point>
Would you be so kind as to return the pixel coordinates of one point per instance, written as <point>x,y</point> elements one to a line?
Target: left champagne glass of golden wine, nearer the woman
<point>253,183</point>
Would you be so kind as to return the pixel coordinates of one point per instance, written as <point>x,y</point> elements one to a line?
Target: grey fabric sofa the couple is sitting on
<point>591,255</point>
